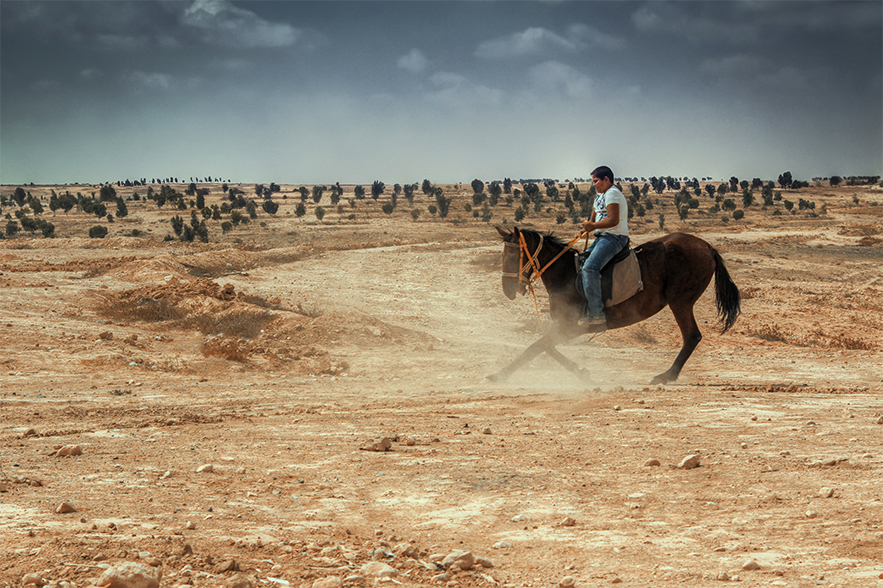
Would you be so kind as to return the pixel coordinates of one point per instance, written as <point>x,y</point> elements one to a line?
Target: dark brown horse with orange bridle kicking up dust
<point>675,270</point>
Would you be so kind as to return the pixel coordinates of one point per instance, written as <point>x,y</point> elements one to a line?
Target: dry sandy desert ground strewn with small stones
<point>215,412</point>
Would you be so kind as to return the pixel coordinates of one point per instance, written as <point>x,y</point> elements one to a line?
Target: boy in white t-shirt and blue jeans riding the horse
<point>610,221</point>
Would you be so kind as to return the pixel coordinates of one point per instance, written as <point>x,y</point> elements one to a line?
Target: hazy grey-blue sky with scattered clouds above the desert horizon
<point>350,92</point>
